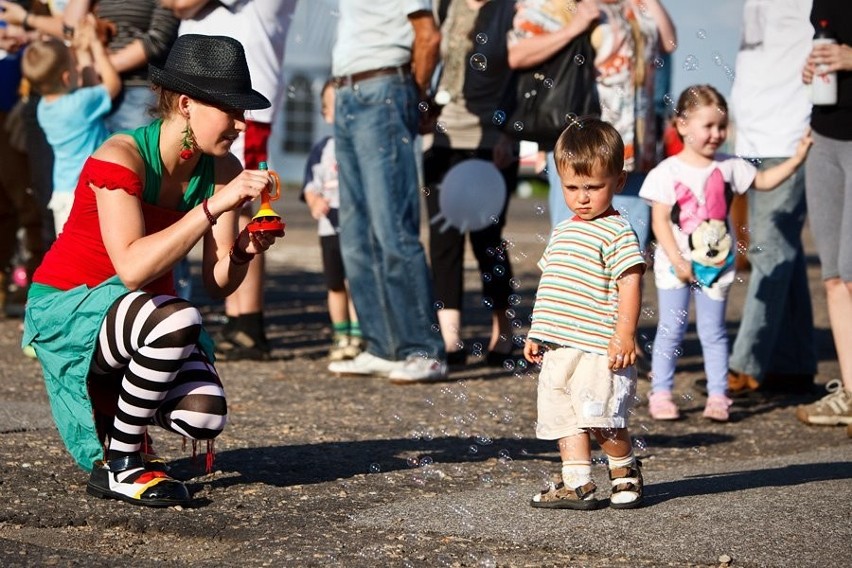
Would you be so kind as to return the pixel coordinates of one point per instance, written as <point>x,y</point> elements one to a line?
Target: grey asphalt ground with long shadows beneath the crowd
<point>316,470</point>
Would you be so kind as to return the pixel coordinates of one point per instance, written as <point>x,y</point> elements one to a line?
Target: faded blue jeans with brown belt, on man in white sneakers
<point>375,128</point>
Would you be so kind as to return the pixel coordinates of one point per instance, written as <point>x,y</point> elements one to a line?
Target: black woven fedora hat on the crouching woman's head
<point>212,69</point>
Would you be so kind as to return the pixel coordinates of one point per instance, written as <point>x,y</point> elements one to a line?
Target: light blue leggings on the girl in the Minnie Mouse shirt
<point>673,312</point>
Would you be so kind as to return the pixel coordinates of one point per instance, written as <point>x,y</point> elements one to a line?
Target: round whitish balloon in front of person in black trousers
<point>472,195</point>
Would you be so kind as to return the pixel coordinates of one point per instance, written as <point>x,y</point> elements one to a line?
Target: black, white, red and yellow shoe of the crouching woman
<point>150,487</point>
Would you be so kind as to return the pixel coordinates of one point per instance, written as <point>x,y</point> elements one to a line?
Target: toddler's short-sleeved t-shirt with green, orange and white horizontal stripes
<point>577,300</point>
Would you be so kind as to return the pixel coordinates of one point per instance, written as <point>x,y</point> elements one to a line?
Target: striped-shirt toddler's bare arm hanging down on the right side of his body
<point>622,348</point>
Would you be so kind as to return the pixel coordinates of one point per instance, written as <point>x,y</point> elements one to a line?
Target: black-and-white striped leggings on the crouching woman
<point>148,352</point>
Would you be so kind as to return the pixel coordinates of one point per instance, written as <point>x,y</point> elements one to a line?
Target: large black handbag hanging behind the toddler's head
<point>547,95</point>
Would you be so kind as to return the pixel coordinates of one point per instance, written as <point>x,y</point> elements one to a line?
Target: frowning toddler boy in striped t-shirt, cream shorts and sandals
<point>584,322</point>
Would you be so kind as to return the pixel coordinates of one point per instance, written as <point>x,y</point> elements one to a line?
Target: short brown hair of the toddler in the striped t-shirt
<point>589,142</point>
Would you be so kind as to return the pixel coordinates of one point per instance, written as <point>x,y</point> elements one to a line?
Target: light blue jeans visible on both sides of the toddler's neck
<point>628,203</point>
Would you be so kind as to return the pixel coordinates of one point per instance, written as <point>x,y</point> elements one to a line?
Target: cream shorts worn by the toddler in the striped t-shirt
<point>577,391</point>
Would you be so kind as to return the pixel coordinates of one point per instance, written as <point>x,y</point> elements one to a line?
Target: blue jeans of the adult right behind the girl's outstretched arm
<point>776,332</point>
